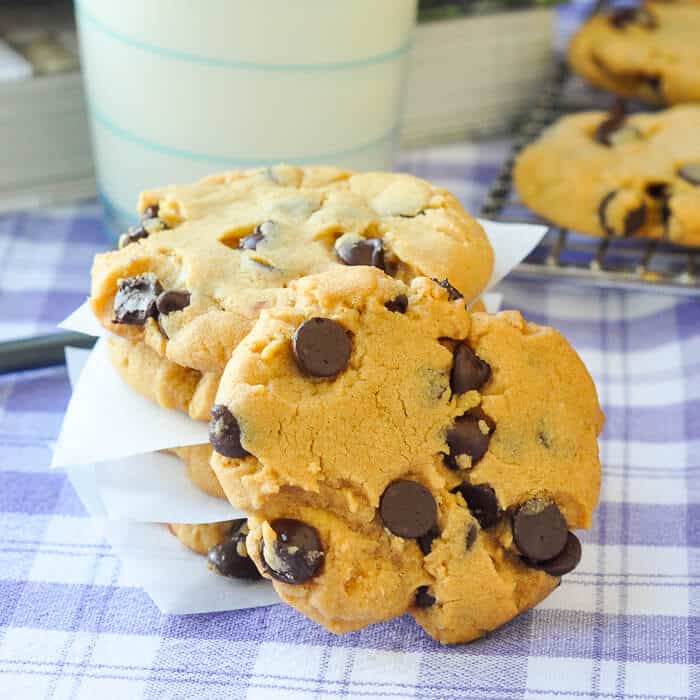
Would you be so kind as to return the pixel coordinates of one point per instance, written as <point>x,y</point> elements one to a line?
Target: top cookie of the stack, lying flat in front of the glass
<point>191,279</point>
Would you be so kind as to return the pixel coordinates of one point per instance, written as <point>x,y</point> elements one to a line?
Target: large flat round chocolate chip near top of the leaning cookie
<point>321,347</point>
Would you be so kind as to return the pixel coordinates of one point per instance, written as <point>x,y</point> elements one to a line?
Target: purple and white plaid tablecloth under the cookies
<point>625,624</point>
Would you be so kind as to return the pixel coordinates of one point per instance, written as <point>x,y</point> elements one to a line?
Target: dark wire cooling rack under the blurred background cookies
<point>641,264</point>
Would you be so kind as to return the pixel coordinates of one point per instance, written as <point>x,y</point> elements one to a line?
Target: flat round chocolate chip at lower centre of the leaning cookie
<point>407,508</point>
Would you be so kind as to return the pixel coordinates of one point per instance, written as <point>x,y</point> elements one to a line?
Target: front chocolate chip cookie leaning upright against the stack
<point>396,453</point>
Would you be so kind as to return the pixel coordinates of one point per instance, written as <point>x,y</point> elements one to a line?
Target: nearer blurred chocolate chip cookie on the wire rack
<point>618,175</point>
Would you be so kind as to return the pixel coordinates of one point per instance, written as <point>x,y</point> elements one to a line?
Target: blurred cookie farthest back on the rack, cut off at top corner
<point>650,51</point>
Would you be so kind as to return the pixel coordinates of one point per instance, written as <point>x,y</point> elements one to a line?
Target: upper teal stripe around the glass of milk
<point>237,65</point>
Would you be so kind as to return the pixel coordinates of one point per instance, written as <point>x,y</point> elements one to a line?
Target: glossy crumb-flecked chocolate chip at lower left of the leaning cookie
<point>296,554</point>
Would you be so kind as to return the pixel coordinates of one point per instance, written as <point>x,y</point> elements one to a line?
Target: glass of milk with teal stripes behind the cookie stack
<point>177,90</point>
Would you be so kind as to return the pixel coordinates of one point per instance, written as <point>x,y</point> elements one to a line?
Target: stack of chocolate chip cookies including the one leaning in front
<point>394,448</point>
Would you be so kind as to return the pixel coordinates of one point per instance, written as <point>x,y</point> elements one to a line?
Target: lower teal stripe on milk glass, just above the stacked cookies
<point>233,161</point>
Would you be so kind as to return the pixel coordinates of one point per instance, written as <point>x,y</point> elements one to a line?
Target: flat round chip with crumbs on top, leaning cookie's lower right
<point>539,530</point>
